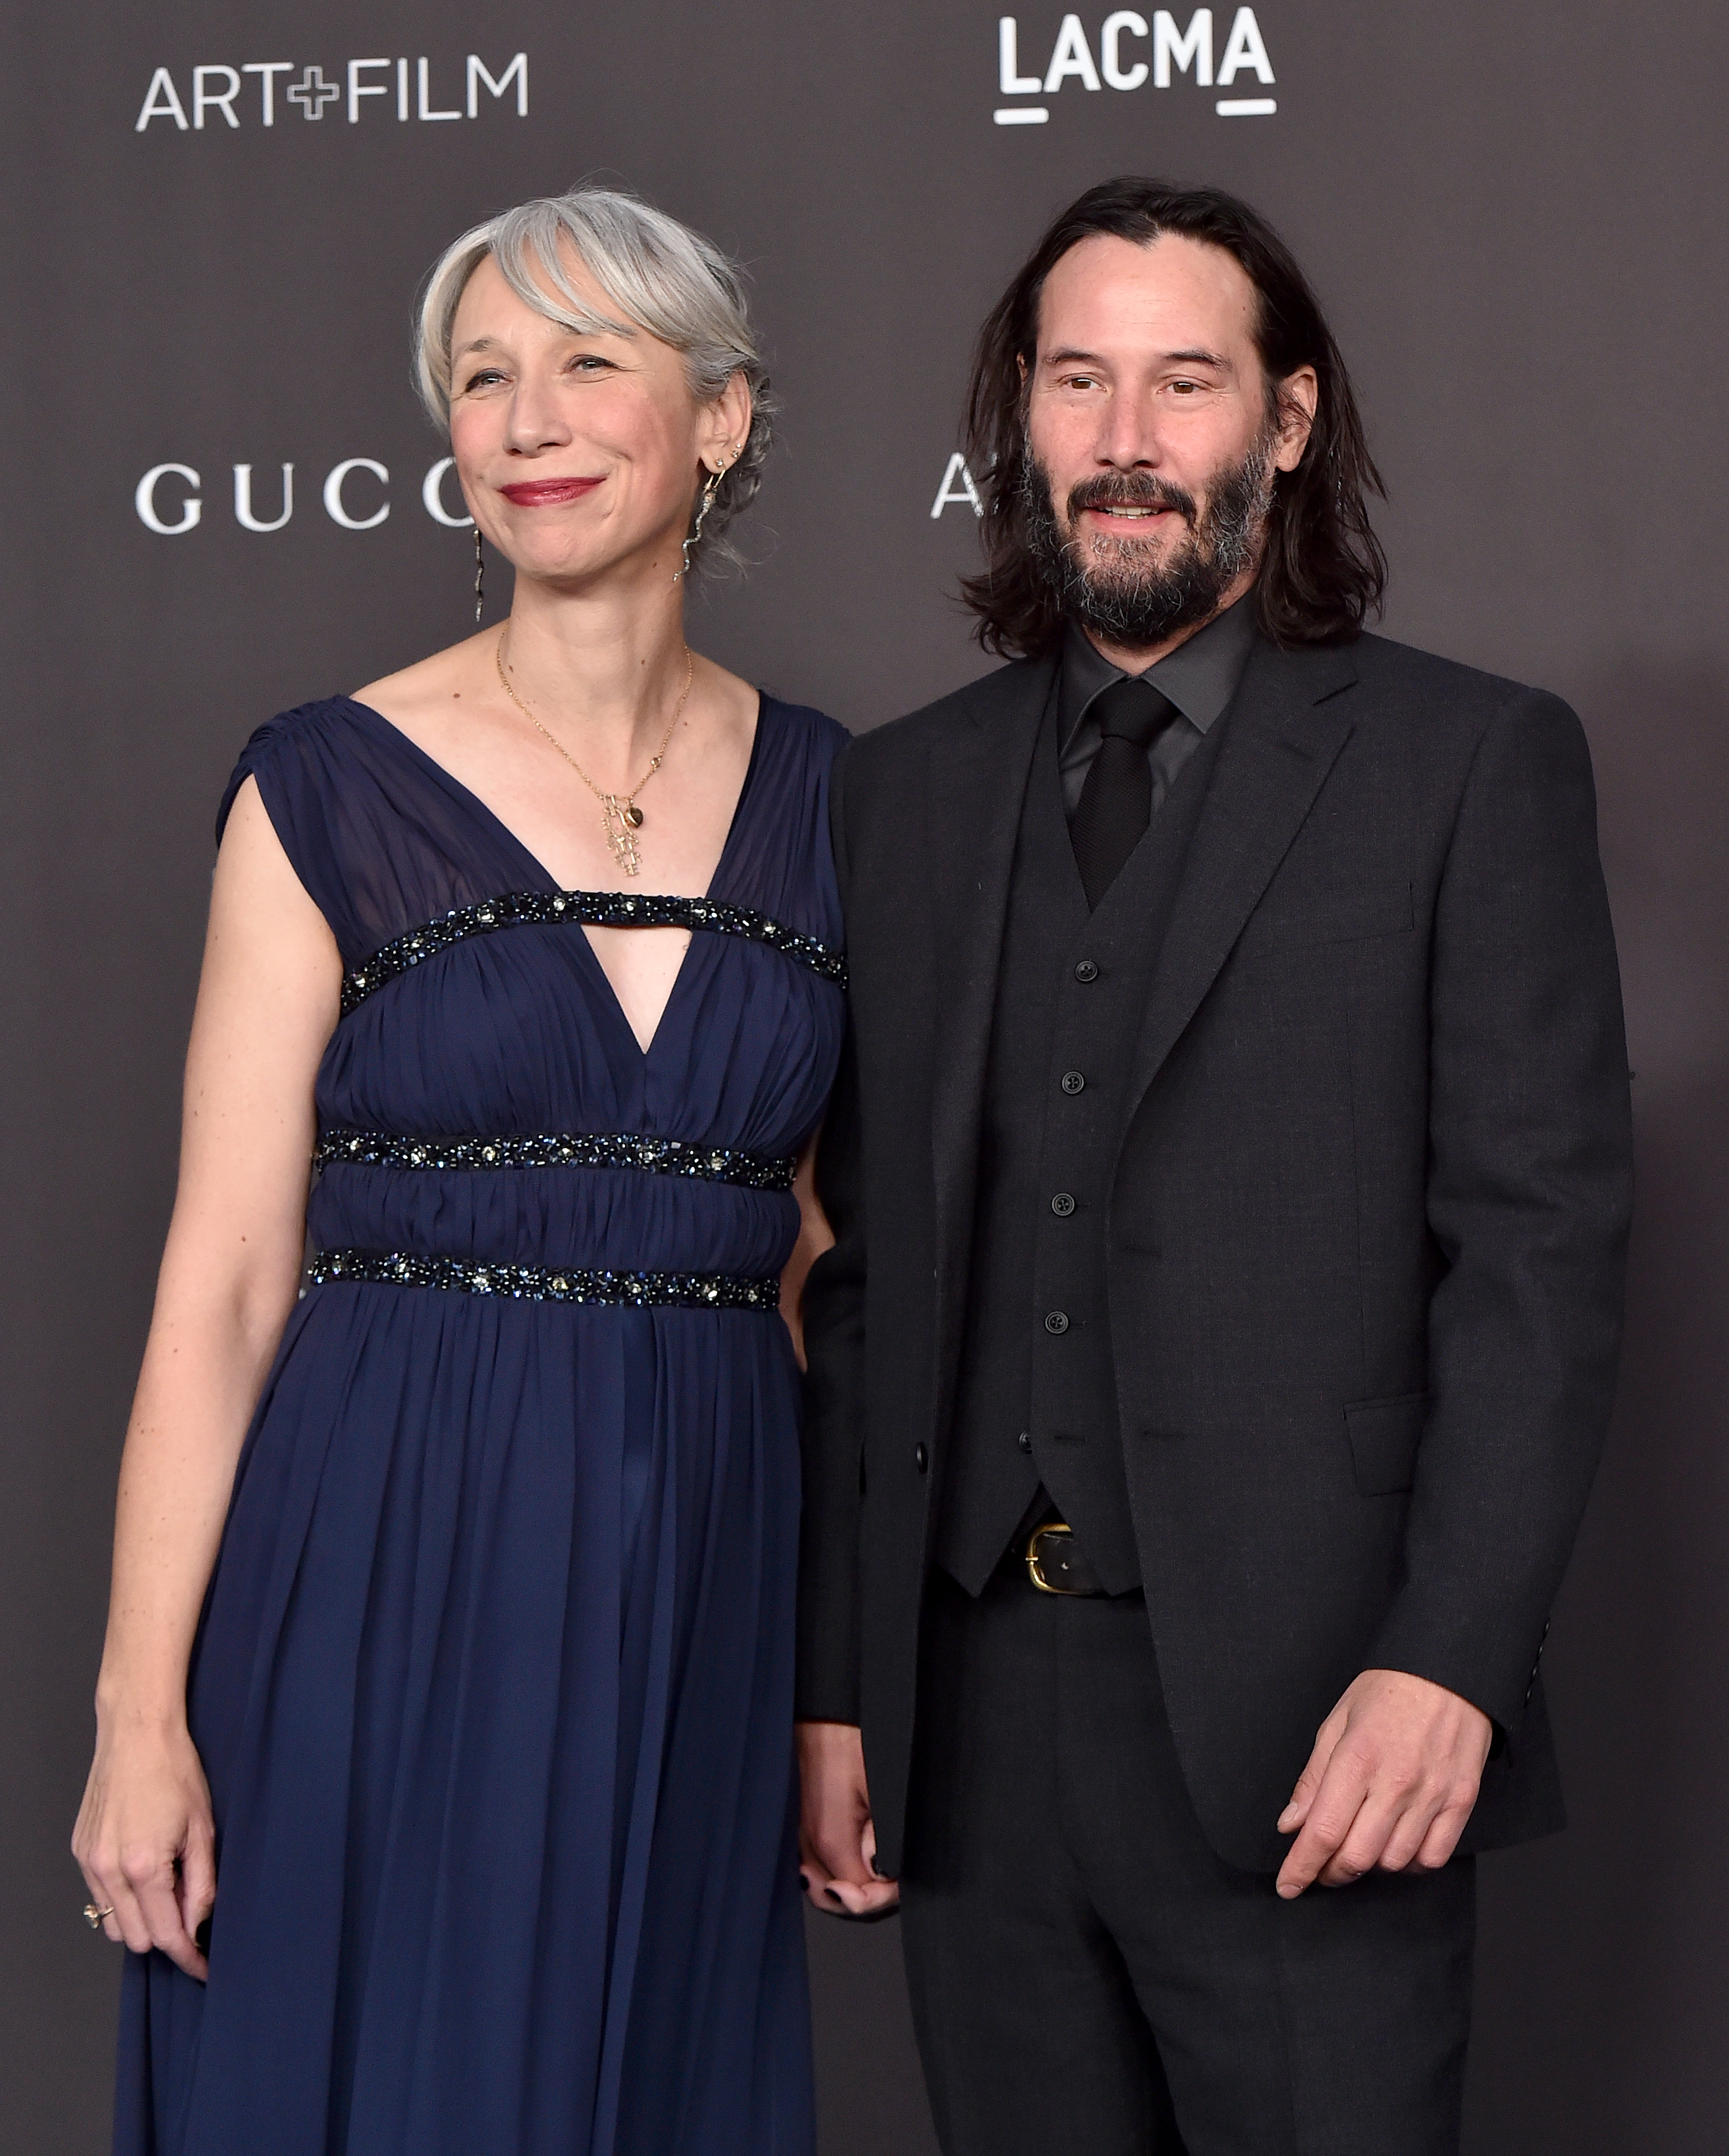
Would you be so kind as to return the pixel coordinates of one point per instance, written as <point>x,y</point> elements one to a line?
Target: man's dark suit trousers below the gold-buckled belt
<point>1090,1978</point>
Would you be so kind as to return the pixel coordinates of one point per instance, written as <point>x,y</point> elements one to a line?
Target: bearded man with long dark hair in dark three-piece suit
<point>1232,1185</point>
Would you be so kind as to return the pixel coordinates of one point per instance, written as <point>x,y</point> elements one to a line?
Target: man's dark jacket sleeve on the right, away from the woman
<point>1527,1198</point>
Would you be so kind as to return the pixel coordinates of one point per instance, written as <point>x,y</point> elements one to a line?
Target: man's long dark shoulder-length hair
<point>1323,570</point>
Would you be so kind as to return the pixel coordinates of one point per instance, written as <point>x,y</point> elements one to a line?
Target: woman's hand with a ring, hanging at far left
<point>146,1842</point>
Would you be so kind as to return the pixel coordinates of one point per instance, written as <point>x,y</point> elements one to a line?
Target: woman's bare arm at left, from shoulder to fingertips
<point>268,1001</point>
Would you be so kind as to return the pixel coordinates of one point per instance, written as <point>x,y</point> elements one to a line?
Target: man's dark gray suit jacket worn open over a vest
<point>1366,1234</point>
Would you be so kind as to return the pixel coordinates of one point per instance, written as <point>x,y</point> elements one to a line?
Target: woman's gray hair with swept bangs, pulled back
<point>656,273</point>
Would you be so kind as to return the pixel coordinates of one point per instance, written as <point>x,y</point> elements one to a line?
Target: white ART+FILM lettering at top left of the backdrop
<point>221,96</point>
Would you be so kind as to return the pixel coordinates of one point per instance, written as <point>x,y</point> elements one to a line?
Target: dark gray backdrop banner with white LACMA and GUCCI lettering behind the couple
<point>223,499</point>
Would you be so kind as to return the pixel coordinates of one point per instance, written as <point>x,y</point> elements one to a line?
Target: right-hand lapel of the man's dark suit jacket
<point>1282,741</point>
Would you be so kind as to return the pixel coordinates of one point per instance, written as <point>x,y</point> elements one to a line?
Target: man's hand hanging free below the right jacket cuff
<point>1389,1786</point>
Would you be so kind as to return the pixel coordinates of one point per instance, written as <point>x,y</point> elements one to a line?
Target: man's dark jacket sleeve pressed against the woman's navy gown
<point>827,1689</point>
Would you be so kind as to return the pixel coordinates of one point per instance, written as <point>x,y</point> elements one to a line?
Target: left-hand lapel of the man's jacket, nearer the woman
<point>973,799</point>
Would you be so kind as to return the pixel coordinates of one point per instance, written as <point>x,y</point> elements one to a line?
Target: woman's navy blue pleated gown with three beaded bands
<point>495,1674</point>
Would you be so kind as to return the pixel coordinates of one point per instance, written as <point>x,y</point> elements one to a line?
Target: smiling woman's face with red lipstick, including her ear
<point>579,456</point>
